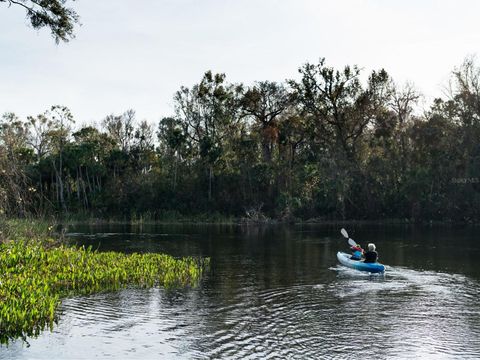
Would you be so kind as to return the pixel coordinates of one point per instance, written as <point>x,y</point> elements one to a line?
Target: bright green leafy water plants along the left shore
<point>38,271</point>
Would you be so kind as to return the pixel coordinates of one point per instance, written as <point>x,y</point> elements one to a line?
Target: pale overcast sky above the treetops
<point>137,53</point>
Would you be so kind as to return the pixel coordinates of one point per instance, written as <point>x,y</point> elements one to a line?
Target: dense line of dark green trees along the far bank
<point>326,146</point>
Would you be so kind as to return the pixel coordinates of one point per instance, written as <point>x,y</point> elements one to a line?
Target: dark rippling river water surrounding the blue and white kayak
<point>278,292</point>
